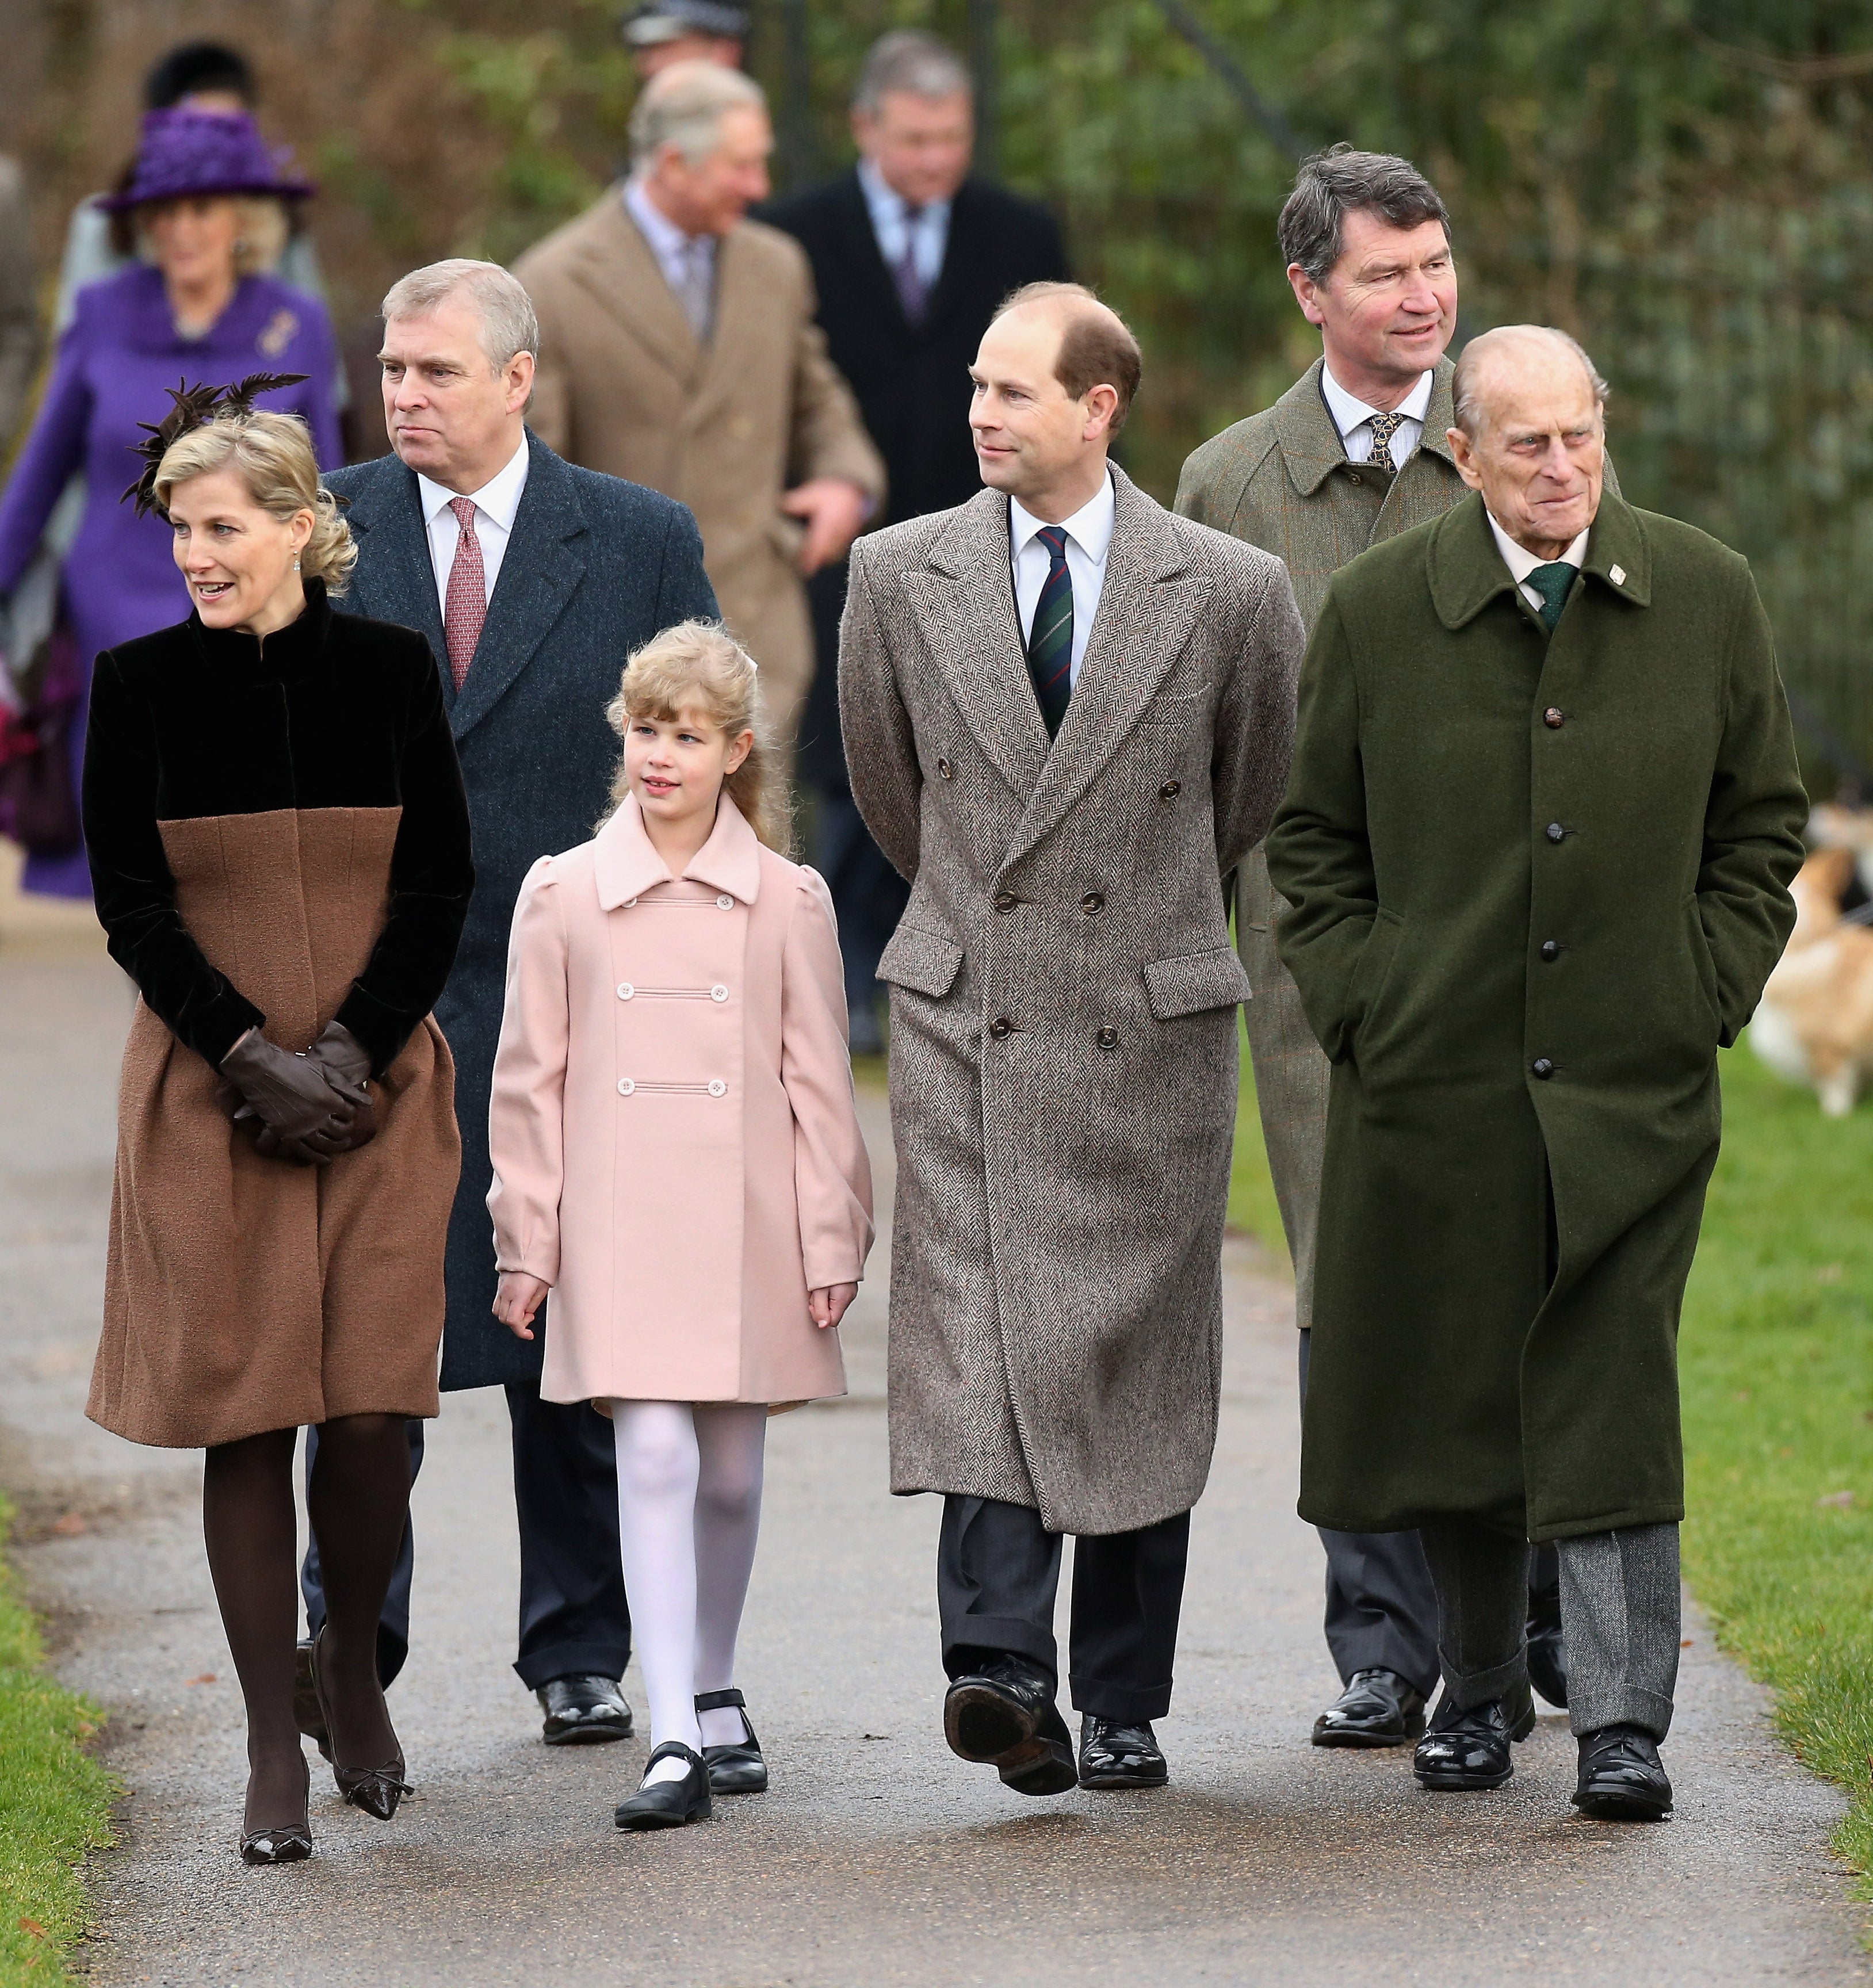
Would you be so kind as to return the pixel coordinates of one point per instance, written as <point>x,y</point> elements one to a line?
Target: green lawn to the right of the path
<point>1777,1363</point>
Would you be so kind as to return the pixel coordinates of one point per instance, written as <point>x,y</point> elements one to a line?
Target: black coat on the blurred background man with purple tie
<point>912,385</point>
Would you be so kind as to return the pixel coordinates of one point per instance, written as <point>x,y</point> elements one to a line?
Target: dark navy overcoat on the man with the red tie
<point>594,570</point>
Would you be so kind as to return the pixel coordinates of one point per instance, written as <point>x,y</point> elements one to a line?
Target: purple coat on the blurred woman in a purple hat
<point>114,367</point>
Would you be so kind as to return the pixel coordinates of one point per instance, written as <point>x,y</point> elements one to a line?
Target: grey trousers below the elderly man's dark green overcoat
<point>1619,1615</point>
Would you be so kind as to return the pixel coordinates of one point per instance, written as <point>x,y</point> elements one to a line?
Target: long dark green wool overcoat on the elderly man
<point>1536,884</point>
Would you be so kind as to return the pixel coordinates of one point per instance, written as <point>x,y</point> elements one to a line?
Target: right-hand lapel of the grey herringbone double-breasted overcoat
<point>1148,609</point>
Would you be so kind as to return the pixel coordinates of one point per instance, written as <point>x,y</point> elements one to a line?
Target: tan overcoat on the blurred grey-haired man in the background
<point>625,387</point>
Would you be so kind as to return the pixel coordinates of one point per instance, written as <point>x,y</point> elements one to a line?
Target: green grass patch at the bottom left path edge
<point>55,1800</point>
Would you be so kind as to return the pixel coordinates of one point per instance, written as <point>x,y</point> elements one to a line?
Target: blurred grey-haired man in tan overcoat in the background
<point>679,351</point>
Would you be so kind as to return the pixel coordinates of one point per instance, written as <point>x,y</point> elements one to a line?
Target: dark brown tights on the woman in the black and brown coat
<point>359,1500</point>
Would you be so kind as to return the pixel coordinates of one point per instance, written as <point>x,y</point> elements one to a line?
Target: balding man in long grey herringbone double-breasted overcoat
<point>1067,717</point>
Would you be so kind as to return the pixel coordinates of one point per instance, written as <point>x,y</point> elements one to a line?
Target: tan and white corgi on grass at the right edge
<point>1816,1019</point>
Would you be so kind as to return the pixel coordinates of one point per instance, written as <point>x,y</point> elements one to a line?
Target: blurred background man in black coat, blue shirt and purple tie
<point>912,255</point>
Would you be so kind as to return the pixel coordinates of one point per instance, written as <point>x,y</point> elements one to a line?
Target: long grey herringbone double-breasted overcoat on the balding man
<point>1063,997</point>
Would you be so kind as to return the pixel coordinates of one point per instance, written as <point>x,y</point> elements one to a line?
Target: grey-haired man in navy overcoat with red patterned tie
<point>534,581</point>
